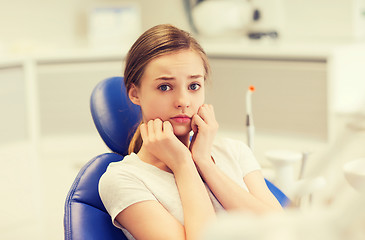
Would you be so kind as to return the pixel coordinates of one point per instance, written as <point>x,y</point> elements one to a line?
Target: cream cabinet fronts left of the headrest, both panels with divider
<point>49,96</point>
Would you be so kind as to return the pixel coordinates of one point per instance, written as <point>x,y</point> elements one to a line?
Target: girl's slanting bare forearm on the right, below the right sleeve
<point>230,194</point>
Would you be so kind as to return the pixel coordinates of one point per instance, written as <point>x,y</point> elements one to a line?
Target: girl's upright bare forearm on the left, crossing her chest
<point>197,206</point>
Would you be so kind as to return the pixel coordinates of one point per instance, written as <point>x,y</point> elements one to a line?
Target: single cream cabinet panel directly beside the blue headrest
<point>64,90</point>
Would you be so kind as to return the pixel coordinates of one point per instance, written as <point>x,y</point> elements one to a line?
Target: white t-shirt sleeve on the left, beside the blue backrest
<point>119,190</point>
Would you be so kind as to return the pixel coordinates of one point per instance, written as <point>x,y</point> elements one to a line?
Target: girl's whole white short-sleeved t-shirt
<point>132,180</point>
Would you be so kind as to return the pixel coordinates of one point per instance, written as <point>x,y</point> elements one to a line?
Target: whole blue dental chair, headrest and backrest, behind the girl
<point>114,116</point>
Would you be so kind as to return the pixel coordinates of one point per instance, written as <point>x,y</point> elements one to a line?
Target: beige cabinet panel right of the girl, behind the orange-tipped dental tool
<point>291,96</point>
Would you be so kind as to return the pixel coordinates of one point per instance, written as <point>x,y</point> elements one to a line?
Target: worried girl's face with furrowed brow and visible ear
<point>172,89</point>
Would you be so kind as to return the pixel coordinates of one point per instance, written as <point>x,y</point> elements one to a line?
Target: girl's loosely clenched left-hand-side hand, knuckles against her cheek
<point>160,140</point>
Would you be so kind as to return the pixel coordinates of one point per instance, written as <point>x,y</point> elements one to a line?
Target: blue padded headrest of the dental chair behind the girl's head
<point>114,115</point>
